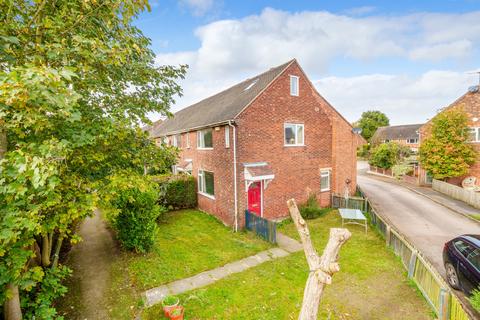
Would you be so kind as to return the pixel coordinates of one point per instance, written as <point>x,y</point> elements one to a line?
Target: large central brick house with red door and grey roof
<point>261,142</point>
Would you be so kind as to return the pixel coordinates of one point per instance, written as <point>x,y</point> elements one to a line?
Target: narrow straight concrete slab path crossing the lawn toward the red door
<point>286,246</point>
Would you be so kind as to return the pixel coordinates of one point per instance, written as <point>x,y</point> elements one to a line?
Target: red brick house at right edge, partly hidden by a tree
<point>470,103</point>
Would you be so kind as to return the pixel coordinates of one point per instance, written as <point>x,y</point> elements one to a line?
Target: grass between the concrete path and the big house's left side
<point>188,242</point>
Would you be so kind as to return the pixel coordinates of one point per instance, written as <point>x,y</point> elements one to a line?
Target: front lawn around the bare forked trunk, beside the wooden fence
<point>372,284</point>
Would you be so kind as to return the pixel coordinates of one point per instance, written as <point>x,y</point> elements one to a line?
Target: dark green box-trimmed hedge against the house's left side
<point>177,191</point>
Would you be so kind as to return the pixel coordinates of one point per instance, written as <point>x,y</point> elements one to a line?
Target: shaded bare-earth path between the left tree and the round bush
<point>90,261</point>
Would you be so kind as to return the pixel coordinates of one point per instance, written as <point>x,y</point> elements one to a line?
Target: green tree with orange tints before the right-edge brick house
<point>446,152</point>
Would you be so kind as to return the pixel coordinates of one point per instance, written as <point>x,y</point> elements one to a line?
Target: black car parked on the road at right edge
<point>461,257</point>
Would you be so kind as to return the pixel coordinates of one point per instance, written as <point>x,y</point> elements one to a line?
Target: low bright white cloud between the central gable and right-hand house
<point>404,99</point>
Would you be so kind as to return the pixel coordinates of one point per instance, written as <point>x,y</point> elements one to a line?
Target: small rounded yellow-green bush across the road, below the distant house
<point>386,155</point>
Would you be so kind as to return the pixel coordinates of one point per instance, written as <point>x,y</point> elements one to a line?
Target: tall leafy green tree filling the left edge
<point>76,79</point>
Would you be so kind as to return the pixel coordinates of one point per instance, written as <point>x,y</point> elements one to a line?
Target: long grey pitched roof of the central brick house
<point>220,107</point>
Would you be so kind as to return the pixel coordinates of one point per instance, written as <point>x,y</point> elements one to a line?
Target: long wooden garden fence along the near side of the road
<point>435,290</point>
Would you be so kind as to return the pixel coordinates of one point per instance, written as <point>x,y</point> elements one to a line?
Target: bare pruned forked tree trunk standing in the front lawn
<point>321,268</point>
